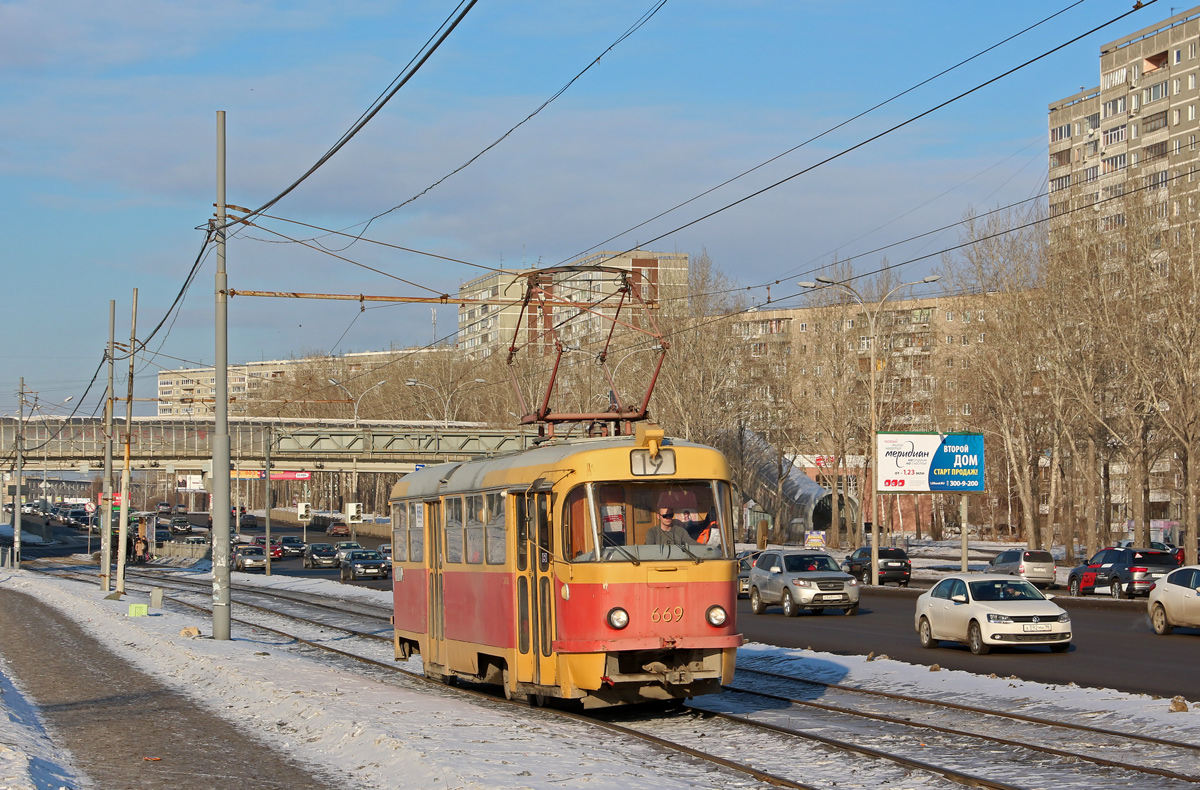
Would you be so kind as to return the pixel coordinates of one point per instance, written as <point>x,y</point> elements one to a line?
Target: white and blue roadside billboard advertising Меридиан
<point>928,463</point>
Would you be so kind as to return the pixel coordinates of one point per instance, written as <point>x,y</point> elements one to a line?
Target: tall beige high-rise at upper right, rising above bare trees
<point>1133,135</point>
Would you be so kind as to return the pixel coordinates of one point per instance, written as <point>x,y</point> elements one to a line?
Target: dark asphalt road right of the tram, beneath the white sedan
<point>1114,645</point>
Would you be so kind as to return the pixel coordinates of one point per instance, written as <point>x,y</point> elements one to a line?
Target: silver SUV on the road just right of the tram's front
<point>801,580</point>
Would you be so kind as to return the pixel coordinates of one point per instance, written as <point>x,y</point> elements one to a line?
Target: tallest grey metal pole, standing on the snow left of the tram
<point>221,614</point>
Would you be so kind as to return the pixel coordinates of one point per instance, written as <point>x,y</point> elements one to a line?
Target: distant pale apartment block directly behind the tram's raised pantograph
<point>487,328</point>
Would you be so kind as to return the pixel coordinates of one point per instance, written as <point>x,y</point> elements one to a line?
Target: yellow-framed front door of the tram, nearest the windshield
<point>536,588</point>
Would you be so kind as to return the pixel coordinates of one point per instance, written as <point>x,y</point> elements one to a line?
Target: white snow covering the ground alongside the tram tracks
<point>347,725</point>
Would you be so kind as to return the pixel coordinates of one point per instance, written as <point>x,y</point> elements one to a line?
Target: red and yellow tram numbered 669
<point>542,571</point>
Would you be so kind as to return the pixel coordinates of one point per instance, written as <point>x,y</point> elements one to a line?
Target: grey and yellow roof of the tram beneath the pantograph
<point>470,476</point>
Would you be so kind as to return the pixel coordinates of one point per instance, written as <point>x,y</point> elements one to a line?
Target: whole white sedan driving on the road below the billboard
<point>987,611</point>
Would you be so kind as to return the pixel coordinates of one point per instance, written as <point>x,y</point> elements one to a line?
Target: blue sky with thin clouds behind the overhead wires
<point>109,154</point>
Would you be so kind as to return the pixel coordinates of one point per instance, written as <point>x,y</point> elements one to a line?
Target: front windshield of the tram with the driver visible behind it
<point>649,522</point>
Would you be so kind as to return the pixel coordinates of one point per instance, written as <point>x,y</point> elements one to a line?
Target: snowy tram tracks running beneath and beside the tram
<point>742,731</point>
